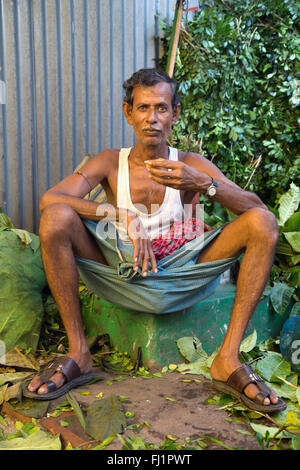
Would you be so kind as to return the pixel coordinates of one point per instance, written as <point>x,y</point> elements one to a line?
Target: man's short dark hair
<point>150,77</point>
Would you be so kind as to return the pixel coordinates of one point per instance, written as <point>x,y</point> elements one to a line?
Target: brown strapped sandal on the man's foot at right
<point>238,381</point>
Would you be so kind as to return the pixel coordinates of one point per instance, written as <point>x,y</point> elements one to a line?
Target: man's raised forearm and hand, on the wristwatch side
<point>194,173</point>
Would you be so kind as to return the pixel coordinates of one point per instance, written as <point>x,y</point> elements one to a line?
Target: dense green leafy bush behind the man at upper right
<point>238,65</point>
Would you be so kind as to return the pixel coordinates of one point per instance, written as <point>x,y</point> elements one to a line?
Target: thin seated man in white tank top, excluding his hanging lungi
<point>160,180</point>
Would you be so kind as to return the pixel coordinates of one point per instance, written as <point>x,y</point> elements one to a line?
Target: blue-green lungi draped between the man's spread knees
<point>178,284</point>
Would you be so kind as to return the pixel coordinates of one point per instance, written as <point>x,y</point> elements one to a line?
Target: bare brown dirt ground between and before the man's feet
<point>186,415</point>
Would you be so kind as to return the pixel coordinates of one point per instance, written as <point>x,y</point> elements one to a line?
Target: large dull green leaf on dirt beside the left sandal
<point>105,418</point>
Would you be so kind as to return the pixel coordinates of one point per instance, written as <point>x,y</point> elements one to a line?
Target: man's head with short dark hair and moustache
<point>151,106</point>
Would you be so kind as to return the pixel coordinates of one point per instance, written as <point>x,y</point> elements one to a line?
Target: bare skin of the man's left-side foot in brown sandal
<point>84,362</point>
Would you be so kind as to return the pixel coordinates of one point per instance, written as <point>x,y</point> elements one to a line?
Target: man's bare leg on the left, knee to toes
<point>63,236</point>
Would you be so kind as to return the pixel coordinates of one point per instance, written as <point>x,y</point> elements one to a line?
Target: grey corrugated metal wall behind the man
<point>62,65</point>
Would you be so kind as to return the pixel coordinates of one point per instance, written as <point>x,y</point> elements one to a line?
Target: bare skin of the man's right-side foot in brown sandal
<point>221,369</point>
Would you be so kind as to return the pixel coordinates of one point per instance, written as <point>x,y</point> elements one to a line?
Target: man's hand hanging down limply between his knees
<point>142,248</point>
